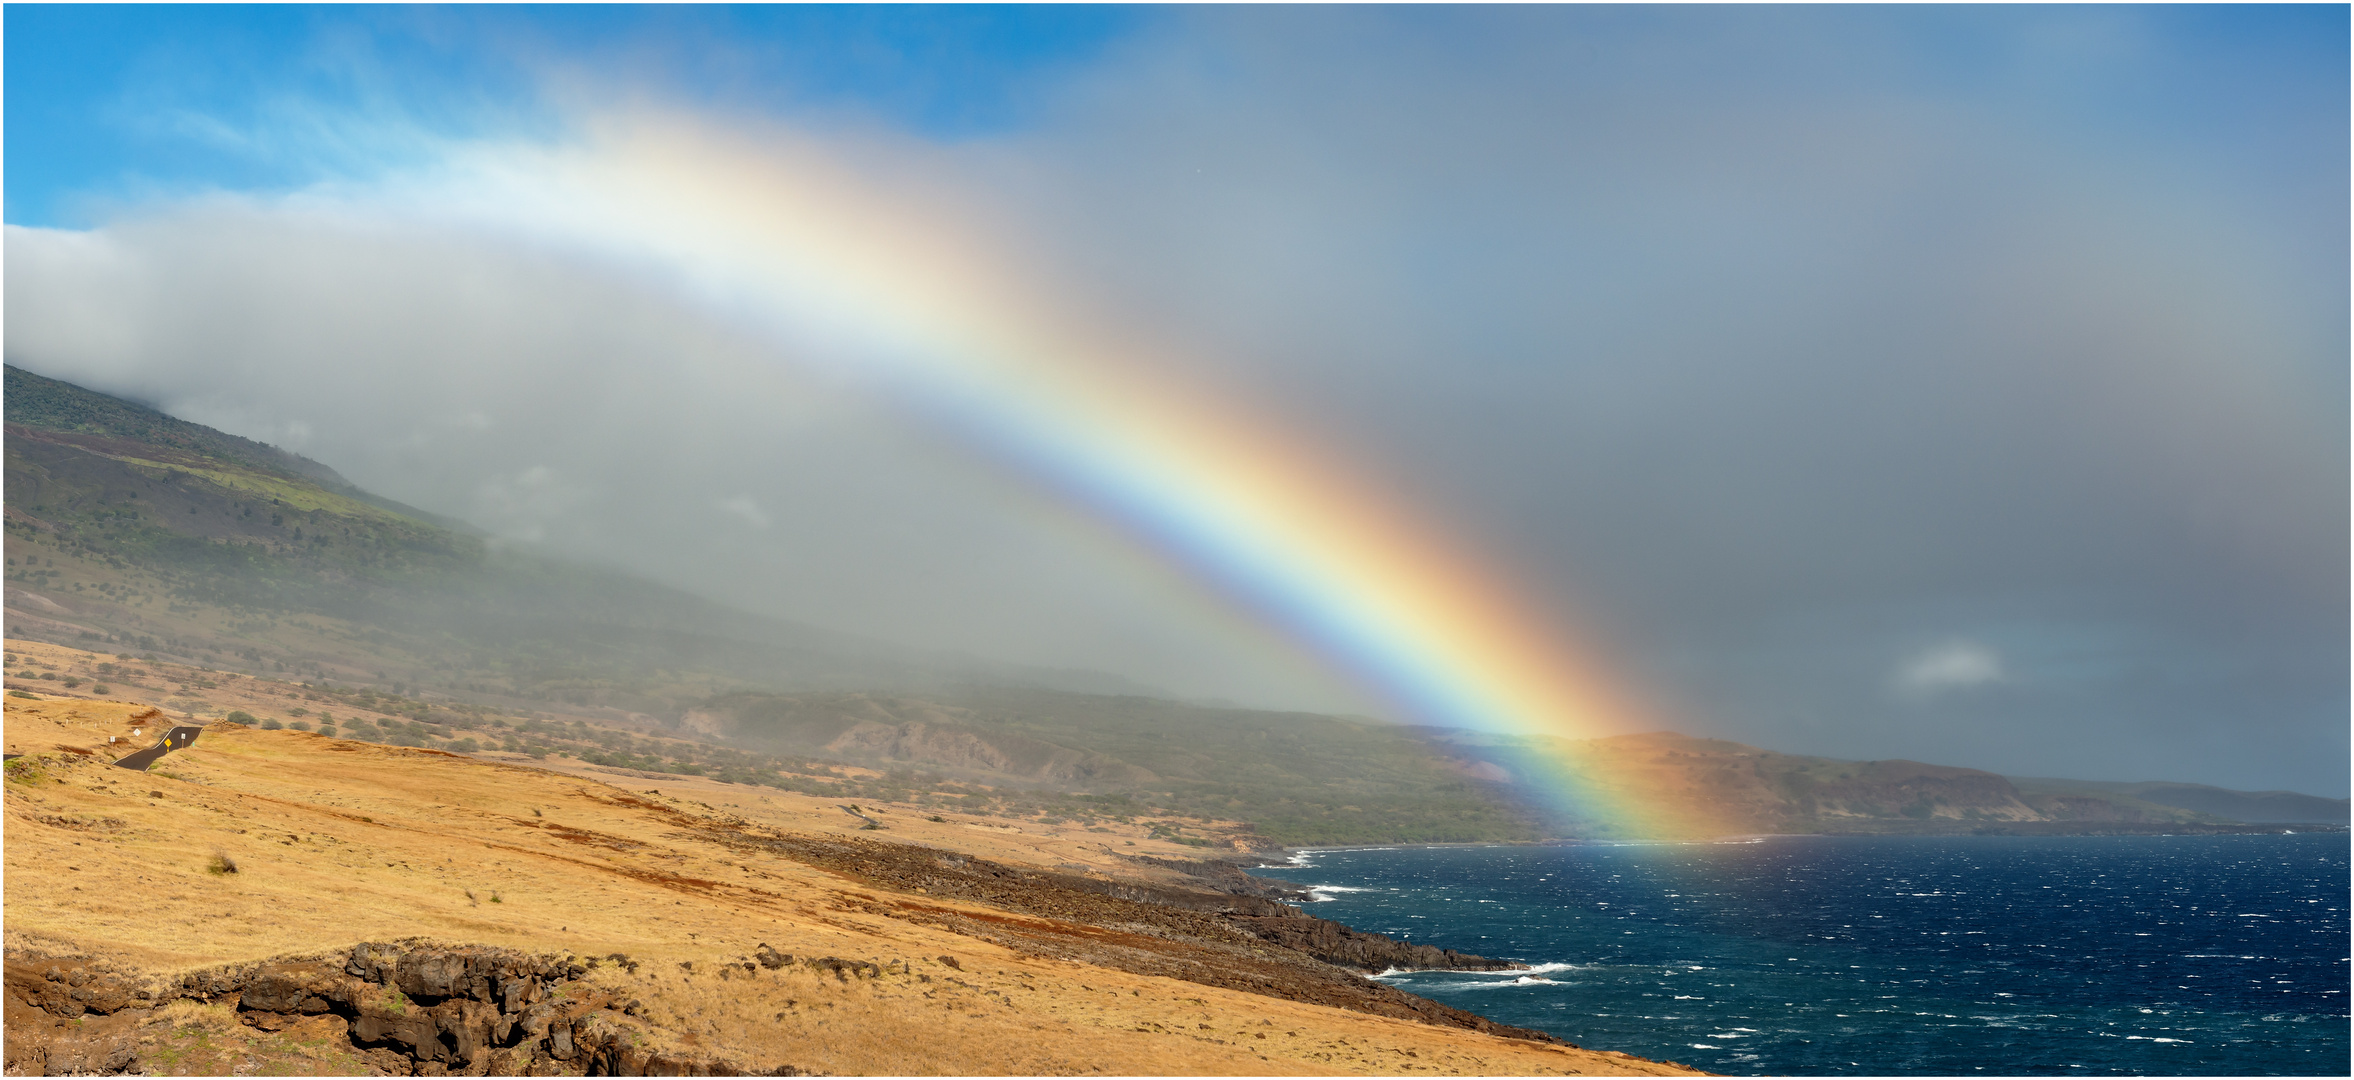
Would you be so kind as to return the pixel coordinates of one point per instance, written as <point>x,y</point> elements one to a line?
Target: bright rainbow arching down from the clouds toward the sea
<point>809,251</point>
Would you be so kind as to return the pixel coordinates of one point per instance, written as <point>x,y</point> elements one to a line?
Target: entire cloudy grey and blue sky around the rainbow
<point>1790,352</point>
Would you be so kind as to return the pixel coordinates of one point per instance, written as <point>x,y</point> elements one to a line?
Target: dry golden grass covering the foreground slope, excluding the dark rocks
<point>340,844</point>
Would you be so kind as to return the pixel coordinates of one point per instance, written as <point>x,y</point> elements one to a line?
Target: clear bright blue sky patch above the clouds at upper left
<point>109,102</point>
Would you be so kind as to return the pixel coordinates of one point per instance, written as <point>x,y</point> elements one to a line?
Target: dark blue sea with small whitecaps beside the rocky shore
<point>2011,956</point>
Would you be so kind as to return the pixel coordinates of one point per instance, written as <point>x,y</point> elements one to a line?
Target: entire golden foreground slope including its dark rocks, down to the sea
<point>293,905</point>
